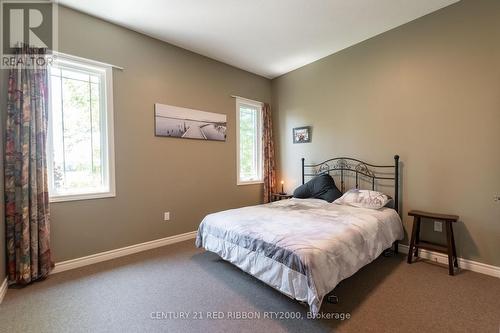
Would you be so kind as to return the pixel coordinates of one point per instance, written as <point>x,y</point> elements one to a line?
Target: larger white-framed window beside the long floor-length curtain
<point>80,154</point>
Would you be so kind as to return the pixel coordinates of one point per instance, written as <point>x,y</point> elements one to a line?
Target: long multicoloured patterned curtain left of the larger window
<point>26,193</point>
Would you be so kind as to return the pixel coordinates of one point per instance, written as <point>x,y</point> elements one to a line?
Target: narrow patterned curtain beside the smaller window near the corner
<point>269,163</point>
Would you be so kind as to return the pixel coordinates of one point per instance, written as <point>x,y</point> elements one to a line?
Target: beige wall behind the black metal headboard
<point>429,91</point>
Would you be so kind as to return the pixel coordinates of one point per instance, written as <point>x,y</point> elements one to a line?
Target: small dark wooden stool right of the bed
<point>416,243</point>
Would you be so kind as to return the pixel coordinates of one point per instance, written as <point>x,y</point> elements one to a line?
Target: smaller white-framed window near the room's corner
<point>249,141</point>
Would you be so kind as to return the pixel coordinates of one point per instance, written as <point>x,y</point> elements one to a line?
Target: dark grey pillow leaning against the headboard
<point>320,187</point>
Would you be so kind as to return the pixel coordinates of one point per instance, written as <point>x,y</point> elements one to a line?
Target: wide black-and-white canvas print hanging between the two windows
<point>178,122</point>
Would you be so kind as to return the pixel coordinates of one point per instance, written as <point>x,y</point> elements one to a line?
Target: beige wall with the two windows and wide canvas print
<point>189,178</point>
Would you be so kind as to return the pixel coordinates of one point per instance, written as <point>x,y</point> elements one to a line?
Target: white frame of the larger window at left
<point>106,99</point>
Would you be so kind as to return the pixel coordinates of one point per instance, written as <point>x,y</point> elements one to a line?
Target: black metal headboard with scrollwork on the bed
<point>359,169</point>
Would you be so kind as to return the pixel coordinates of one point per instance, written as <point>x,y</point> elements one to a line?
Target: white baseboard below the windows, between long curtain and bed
<point>117,253</point>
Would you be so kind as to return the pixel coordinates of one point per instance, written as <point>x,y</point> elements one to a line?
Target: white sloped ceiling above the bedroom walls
<point>266,37</point>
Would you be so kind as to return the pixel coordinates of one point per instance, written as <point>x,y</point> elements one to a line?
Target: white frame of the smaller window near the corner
<point>242,101</point>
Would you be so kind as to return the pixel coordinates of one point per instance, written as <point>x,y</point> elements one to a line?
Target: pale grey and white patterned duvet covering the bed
<point>302,247</point>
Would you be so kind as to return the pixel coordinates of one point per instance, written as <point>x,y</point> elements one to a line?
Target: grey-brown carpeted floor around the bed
<point>124,294</point>
